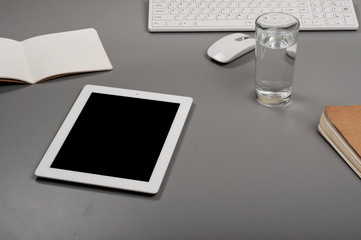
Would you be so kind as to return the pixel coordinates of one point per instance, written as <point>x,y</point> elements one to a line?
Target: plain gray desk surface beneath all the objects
<point>240,170</point>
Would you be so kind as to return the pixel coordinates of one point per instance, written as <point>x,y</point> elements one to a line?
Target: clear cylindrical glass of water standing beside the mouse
<point>276,46</point>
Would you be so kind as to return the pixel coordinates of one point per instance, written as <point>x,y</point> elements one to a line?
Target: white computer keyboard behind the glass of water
<point>240,15</point>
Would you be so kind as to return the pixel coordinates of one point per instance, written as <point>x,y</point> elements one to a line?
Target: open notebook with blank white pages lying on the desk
<point>52,55</point>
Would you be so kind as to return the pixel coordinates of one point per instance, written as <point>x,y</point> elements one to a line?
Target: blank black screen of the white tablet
<point>117,136</point>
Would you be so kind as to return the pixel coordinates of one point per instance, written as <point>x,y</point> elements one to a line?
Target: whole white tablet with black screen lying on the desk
<point>117,138</point>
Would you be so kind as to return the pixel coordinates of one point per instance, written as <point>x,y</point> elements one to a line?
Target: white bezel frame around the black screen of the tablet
<point>44,169</point>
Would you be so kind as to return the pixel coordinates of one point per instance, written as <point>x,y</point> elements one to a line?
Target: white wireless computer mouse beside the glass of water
<point>231,47</point>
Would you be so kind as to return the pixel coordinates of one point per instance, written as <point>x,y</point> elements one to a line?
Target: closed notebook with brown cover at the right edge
<point>341,127</point>
